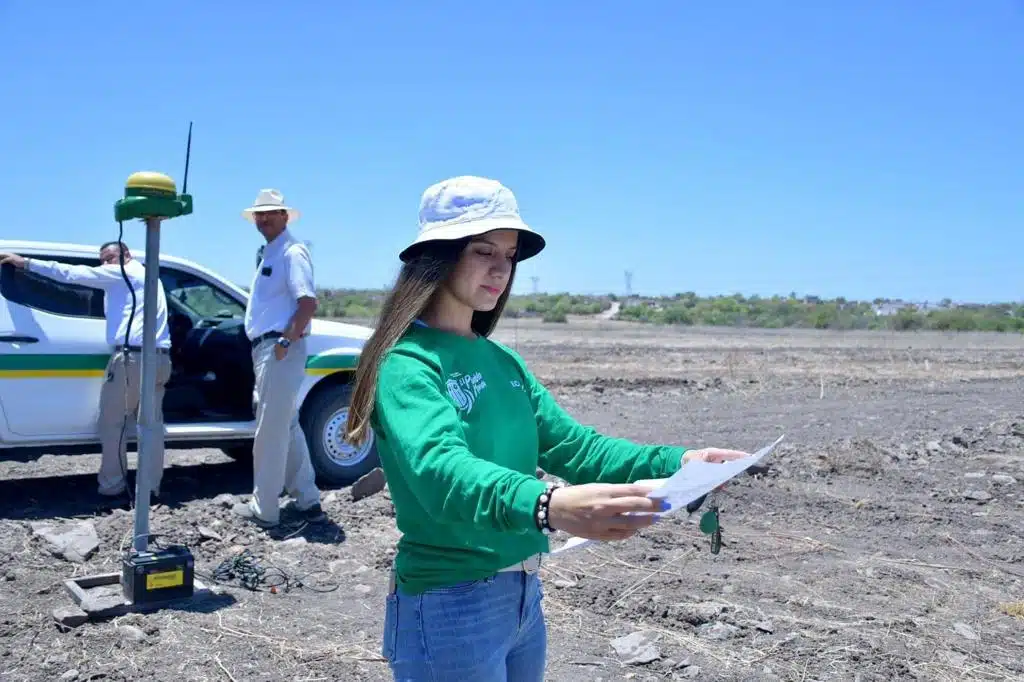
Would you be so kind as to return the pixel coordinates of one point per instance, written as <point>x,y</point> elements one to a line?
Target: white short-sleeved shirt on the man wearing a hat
<point>285,275</point>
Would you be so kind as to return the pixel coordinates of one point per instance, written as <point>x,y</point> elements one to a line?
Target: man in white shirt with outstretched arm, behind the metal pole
<point>120,396</point>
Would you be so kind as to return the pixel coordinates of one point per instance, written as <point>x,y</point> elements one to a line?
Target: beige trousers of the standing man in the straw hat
<point>281,456</point>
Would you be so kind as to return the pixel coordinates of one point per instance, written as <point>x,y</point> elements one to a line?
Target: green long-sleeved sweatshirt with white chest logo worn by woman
<point>462,427</point>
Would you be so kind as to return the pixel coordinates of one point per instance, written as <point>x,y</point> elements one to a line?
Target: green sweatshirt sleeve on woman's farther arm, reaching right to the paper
<point>580,455</point>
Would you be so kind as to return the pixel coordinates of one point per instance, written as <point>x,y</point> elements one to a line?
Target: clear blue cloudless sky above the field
<point>858,149</point>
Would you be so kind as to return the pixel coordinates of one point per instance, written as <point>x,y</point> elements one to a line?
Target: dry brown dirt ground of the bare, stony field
<point>884,542</point>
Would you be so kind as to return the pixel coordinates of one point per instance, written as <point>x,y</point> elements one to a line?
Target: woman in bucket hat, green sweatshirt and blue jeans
<point>462,427</point>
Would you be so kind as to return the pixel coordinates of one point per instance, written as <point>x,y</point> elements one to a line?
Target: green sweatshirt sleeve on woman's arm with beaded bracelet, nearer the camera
<point>423,431</point>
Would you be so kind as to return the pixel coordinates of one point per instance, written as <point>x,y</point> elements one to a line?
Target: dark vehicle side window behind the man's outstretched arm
<point>35,291</point>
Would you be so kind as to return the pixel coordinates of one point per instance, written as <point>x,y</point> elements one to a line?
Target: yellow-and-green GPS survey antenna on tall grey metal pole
<point>152,198</point>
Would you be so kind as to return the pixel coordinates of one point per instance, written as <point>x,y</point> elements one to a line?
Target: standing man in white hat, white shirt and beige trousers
<point>282,303</point>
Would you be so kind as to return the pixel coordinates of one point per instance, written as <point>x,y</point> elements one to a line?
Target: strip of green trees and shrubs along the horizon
<point>730,311</point>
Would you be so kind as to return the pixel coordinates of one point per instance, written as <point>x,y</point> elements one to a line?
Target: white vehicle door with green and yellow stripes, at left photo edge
<point>54,355</point>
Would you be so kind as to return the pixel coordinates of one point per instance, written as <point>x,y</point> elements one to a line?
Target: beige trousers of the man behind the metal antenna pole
<point>118,414</point>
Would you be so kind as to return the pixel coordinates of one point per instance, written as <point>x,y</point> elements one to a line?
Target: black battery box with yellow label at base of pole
<point>161,576</point>
